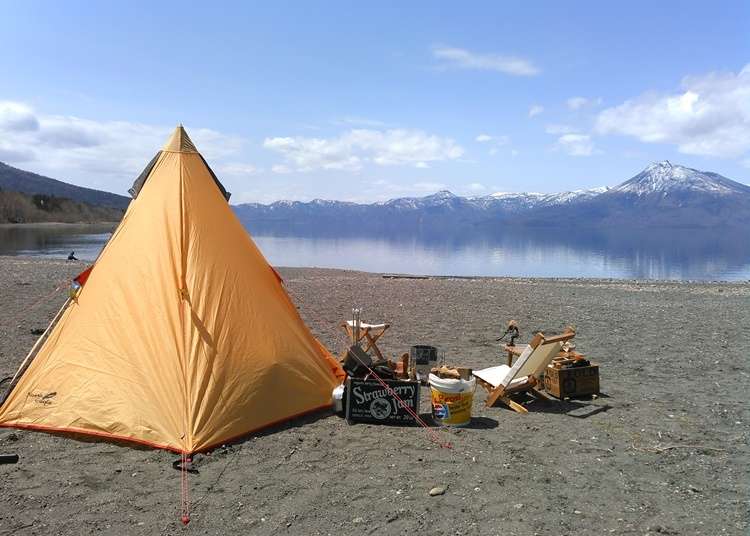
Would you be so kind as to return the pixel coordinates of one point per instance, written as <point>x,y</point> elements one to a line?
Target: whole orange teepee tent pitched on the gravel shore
<point>182,336</point>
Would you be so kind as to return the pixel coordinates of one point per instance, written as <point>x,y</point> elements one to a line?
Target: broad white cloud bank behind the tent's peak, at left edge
<point>98,154</point>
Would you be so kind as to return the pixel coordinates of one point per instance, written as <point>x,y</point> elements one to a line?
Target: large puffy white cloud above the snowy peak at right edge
<point>710,115</point>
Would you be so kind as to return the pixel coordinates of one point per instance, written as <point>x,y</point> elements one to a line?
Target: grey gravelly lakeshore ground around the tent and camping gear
<point>666,453</point>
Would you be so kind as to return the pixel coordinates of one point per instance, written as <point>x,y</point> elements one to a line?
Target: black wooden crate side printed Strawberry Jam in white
<point>369,401</point>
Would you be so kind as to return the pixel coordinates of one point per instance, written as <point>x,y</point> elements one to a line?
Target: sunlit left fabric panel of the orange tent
<point>112,365</point>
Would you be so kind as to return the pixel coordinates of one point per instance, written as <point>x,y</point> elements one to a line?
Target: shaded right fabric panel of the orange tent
<point>252,359</point>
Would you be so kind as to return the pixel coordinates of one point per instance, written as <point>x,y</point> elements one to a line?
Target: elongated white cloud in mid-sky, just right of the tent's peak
<point>355,148</point>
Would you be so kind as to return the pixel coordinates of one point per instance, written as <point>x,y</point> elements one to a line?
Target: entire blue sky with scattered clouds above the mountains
<point>340,100</point>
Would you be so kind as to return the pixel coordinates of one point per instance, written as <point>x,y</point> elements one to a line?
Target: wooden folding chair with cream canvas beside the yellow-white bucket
<point>502,381</point>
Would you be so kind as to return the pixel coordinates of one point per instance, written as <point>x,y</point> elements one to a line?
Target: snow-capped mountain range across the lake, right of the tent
<point>662,195</point>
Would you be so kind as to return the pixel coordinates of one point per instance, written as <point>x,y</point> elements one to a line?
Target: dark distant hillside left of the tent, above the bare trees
<point>18,180</point>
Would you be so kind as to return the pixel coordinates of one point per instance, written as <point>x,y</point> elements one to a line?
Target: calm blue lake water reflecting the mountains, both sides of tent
<point>694,255</point>
